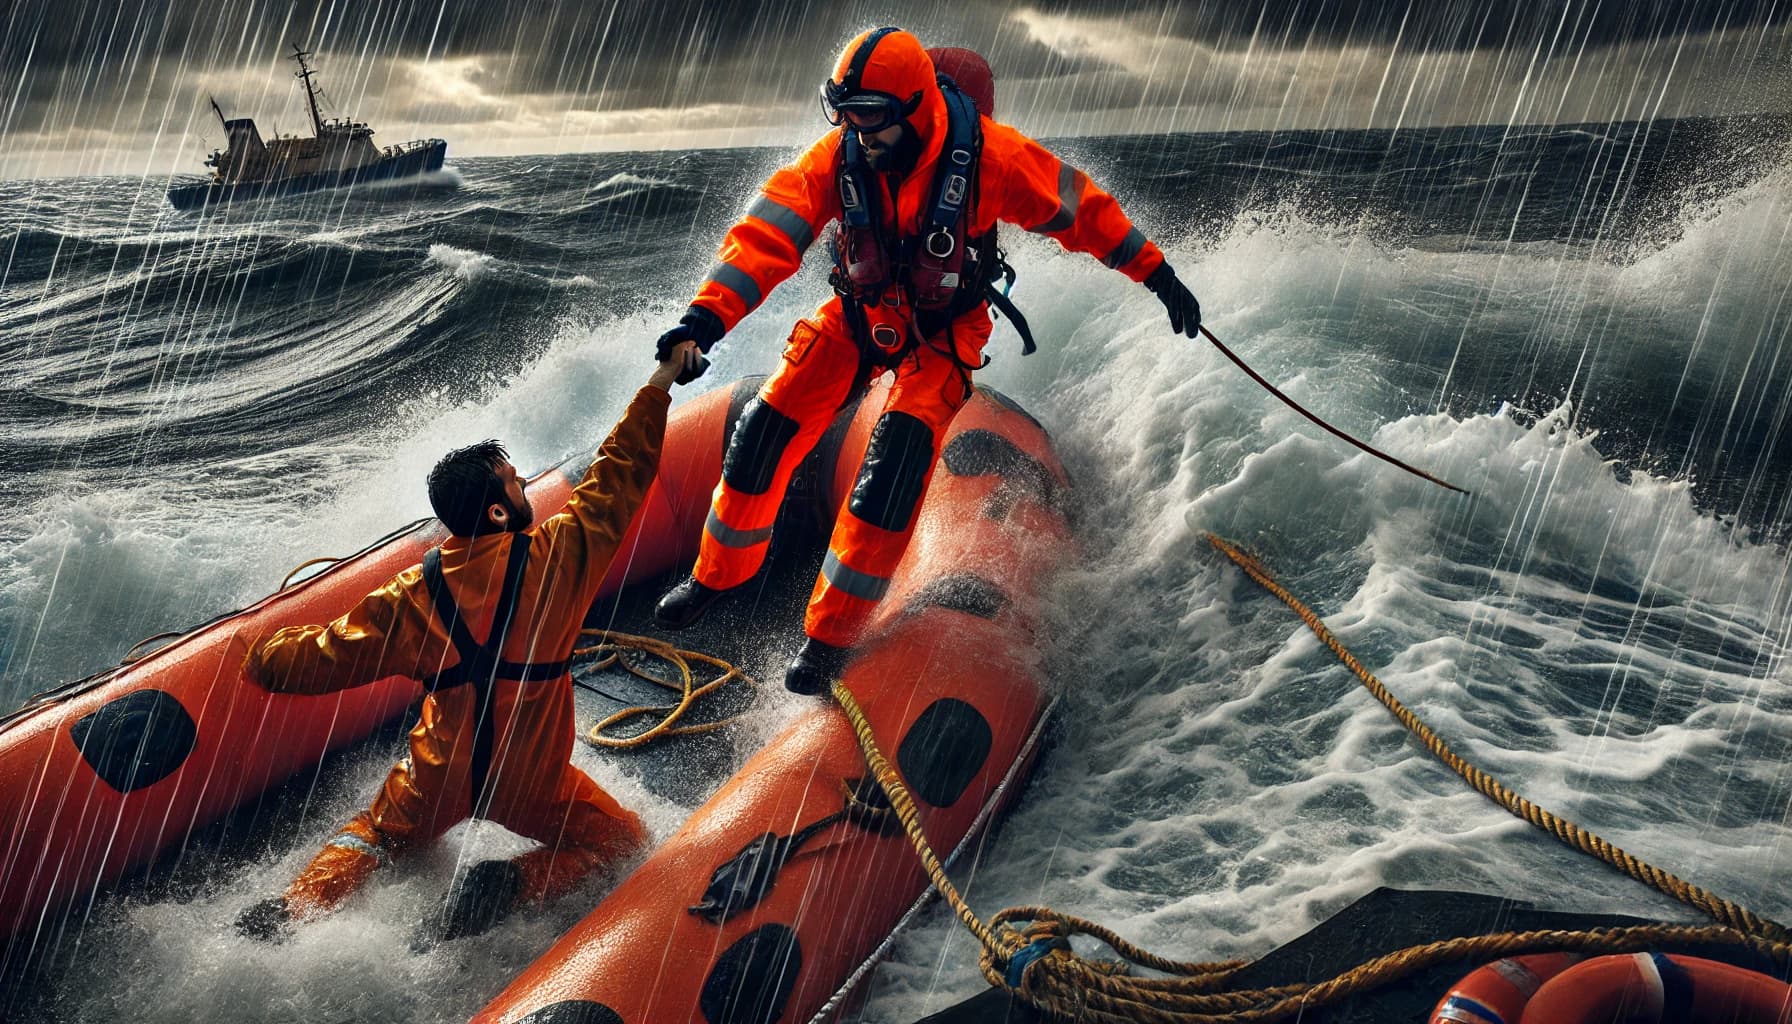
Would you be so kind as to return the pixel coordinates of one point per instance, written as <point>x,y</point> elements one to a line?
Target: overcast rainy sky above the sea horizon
<point>119,87</point>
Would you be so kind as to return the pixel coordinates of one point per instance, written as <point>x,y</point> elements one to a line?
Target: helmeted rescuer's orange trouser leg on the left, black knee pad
<point>814,377</point>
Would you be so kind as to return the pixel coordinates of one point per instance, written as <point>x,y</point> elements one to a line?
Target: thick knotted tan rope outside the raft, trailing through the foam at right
<point>1037,964</point>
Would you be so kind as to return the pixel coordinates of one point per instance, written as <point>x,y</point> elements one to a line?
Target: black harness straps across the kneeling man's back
<point>481,664</point>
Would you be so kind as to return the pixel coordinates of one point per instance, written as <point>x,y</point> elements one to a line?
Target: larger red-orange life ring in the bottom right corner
<point>1650,987</point>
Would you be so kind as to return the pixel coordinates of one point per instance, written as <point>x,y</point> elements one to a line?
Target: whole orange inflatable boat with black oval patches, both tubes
<point>775,894</point>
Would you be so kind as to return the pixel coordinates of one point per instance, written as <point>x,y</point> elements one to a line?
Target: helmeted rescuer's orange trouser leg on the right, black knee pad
<point>870,537</point>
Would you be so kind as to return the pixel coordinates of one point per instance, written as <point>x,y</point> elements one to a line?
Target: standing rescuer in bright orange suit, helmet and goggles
<point>913,288</point>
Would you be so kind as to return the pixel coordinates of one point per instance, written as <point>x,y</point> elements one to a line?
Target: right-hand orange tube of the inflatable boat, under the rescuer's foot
<point>725,923</point>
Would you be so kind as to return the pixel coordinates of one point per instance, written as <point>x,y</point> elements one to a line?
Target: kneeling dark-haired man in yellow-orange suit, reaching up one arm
<point>488,623</point>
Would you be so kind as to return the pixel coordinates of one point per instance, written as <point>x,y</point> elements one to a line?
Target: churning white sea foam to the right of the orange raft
<point>1594,638</point>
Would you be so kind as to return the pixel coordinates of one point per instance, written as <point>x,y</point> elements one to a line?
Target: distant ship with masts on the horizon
<point>340,153</point>
